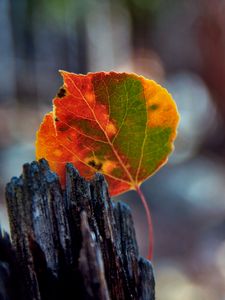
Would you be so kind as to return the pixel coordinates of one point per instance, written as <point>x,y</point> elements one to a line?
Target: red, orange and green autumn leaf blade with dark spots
<point>119,124</point>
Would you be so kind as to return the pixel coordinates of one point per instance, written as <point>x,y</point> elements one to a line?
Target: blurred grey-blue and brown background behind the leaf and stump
<point>179,43</point>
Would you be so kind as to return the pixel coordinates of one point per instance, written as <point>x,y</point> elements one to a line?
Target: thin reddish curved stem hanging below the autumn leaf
<point>149,220</point>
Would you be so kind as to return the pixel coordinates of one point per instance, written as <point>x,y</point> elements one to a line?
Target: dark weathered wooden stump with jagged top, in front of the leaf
<point>73,243</point>
